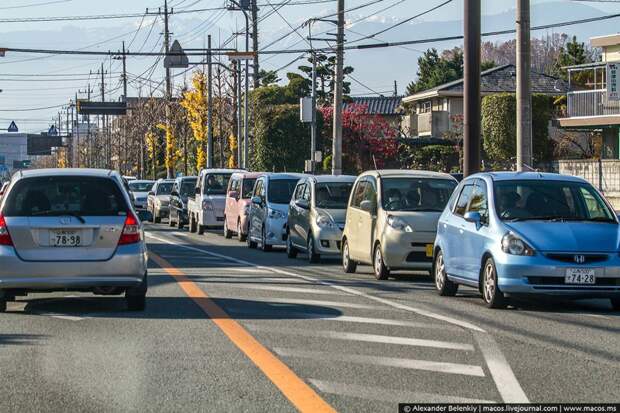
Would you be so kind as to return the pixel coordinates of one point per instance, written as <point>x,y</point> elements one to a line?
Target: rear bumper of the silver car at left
<point>125,269</point>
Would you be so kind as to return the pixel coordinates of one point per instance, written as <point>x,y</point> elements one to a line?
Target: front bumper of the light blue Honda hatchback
<point>539,275</point>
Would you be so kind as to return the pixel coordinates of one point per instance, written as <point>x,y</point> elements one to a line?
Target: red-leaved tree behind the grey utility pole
<point>367,139</point>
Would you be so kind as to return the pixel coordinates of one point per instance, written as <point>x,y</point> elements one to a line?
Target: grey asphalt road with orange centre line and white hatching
<point>228,328</point>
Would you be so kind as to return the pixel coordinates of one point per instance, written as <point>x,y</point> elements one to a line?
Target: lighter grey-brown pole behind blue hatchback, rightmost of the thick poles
<point>524,92</point>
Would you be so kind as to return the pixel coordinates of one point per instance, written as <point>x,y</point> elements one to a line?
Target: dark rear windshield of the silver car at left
<point>65,195</point>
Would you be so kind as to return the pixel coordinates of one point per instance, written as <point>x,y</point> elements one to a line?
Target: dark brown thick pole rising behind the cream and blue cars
<point>471,124</point>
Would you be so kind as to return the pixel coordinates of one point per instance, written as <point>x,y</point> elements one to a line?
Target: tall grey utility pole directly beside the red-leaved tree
<point>339,79</point>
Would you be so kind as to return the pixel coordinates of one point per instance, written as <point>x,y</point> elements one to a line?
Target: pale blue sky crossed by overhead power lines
<point>32,81</point>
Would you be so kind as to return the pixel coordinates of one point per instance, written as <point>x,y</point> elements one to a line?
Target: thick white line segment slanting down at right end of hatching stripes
<point>505,380</point>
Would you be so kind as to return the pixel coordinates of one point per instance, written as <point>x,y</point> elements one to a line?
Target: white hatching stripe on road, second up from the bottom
<point>434,366</point>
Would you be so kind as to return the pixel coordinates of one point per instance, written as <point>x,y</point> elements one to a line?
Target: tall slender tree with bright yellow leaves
<point>196,102</point>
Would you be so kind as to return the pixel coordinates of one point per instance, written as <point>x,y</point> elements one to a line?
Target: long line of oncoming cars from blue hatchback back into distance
<point>506,234</point>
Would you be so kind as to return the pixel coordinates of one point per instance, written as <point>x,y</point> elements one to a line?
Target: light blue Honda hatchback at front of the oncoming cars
<point>511,234</point>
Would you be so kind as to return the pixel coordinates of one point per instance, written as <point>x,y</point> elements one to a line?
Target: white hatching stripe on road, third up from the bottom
<point>369,338</point>
